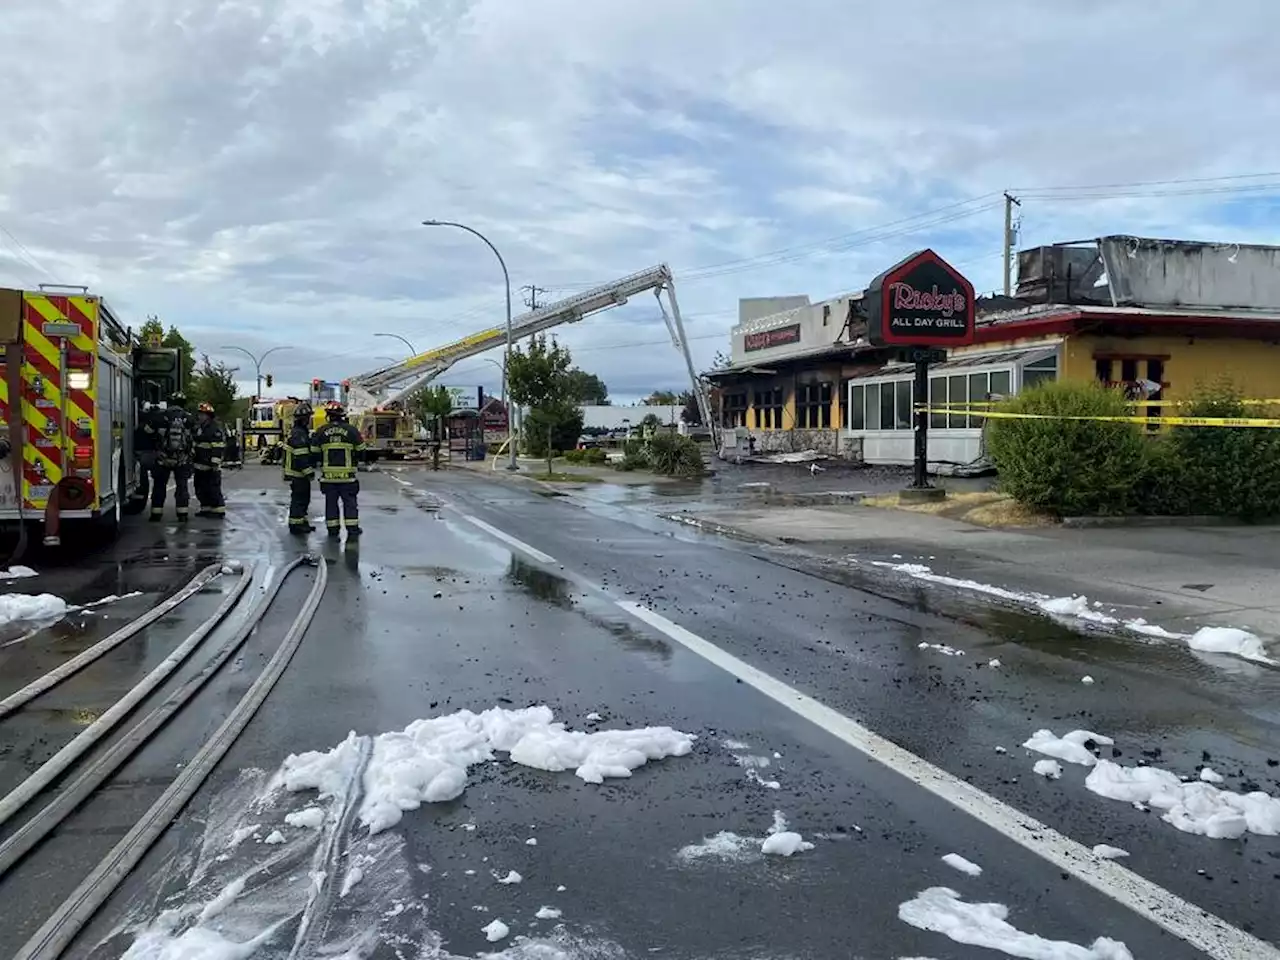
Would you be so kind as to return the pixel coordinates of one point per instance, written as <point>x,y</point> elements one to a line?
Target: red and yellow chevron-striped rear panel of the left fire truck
<point>48,322</point>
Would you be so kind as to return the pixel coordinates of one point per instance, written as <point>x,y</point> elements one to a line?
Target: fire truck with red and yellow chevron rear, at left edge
<point>72,388</point>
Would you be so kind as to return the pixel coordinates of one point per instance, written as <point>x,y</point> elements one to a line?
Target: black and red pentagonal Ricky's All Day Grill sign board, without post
<point>921,301</point>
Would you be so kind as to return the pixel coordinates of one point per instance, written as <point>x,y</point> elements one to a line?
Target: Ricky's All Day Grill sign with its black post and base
<point>921,303</point>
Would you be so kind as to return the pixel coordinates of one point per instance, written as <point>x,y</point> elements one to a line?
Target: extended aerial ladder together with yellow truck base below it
<point>381,396</point>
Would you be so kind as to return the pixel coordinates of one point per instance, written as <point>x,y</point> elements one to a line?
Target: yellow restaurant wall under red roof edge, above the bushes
<point>1252,365</point>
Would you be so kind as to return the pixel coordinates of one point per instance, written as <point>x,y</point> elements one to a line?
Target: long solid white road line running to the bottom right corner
<point>1204,931</point>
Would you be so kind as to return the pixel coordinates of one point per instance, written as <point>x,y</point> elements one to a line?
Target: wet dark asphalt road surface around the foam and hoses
<point>508,630</point>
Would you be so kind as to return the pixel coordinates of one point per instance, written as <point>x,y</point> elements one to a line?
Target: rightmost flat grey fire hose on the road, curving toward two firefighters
<point>58,932</point>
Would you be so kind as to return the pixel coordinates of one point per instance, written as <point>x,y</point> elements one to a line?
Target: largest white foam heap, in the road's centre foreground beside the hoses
<point>428,761</point>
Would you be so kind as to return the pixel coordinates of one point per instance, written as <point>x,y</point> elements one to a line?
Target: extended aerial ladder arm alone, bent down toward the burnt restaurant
<point>395,383</point>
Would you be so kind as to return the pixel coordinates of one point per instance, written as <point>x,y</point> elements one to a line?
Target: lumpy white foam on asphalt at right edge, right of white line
<point>1194,808</point>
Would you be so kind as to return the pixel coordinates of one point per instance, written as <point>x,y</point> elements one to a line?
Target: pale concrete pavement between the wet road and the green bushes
<point>1177,578</point>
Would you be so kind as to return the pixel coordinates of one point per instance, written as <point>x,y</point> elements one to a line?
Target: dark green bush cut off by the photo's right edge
<point>1228,472</point>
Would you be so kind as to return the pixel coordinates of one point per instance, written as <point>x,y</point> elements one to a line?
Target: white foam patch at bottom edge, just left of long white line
<point>941,911</point>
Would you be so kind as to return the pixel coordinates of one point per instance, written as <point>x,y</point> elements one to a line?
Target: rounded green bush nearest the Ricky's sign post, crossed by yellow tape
<point>1063,467</point>
